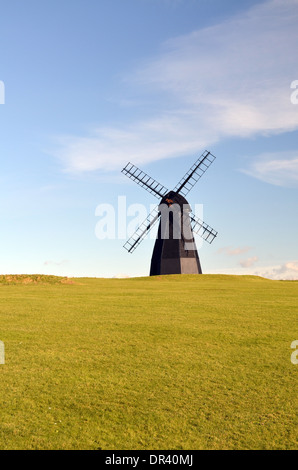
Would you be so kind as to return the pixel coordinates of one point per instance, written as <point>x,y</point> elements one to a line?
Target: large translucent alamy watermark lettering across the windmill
<point>122,222</point>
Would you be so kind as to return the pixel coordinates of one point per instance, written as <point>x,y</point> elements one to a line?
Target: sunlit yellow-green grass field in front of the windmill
<point>171,362</point>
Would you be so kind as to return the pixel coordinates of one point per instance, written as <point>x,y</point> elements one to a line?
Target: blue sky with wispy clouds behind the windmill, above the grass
<point>91,85</point>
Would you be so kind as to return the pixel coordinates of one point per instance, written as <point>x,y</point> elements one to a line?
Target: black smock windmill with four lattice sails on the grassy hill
<point>175,249</point>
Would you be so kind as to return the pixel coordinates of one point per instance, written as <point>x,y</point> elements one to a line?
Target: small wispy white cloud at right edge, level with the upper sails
<point>280,168</point>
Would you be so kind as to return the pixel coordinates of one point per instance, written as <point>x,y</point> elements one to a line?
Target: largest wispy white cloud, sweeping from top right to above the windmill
<point>231,79</point>
